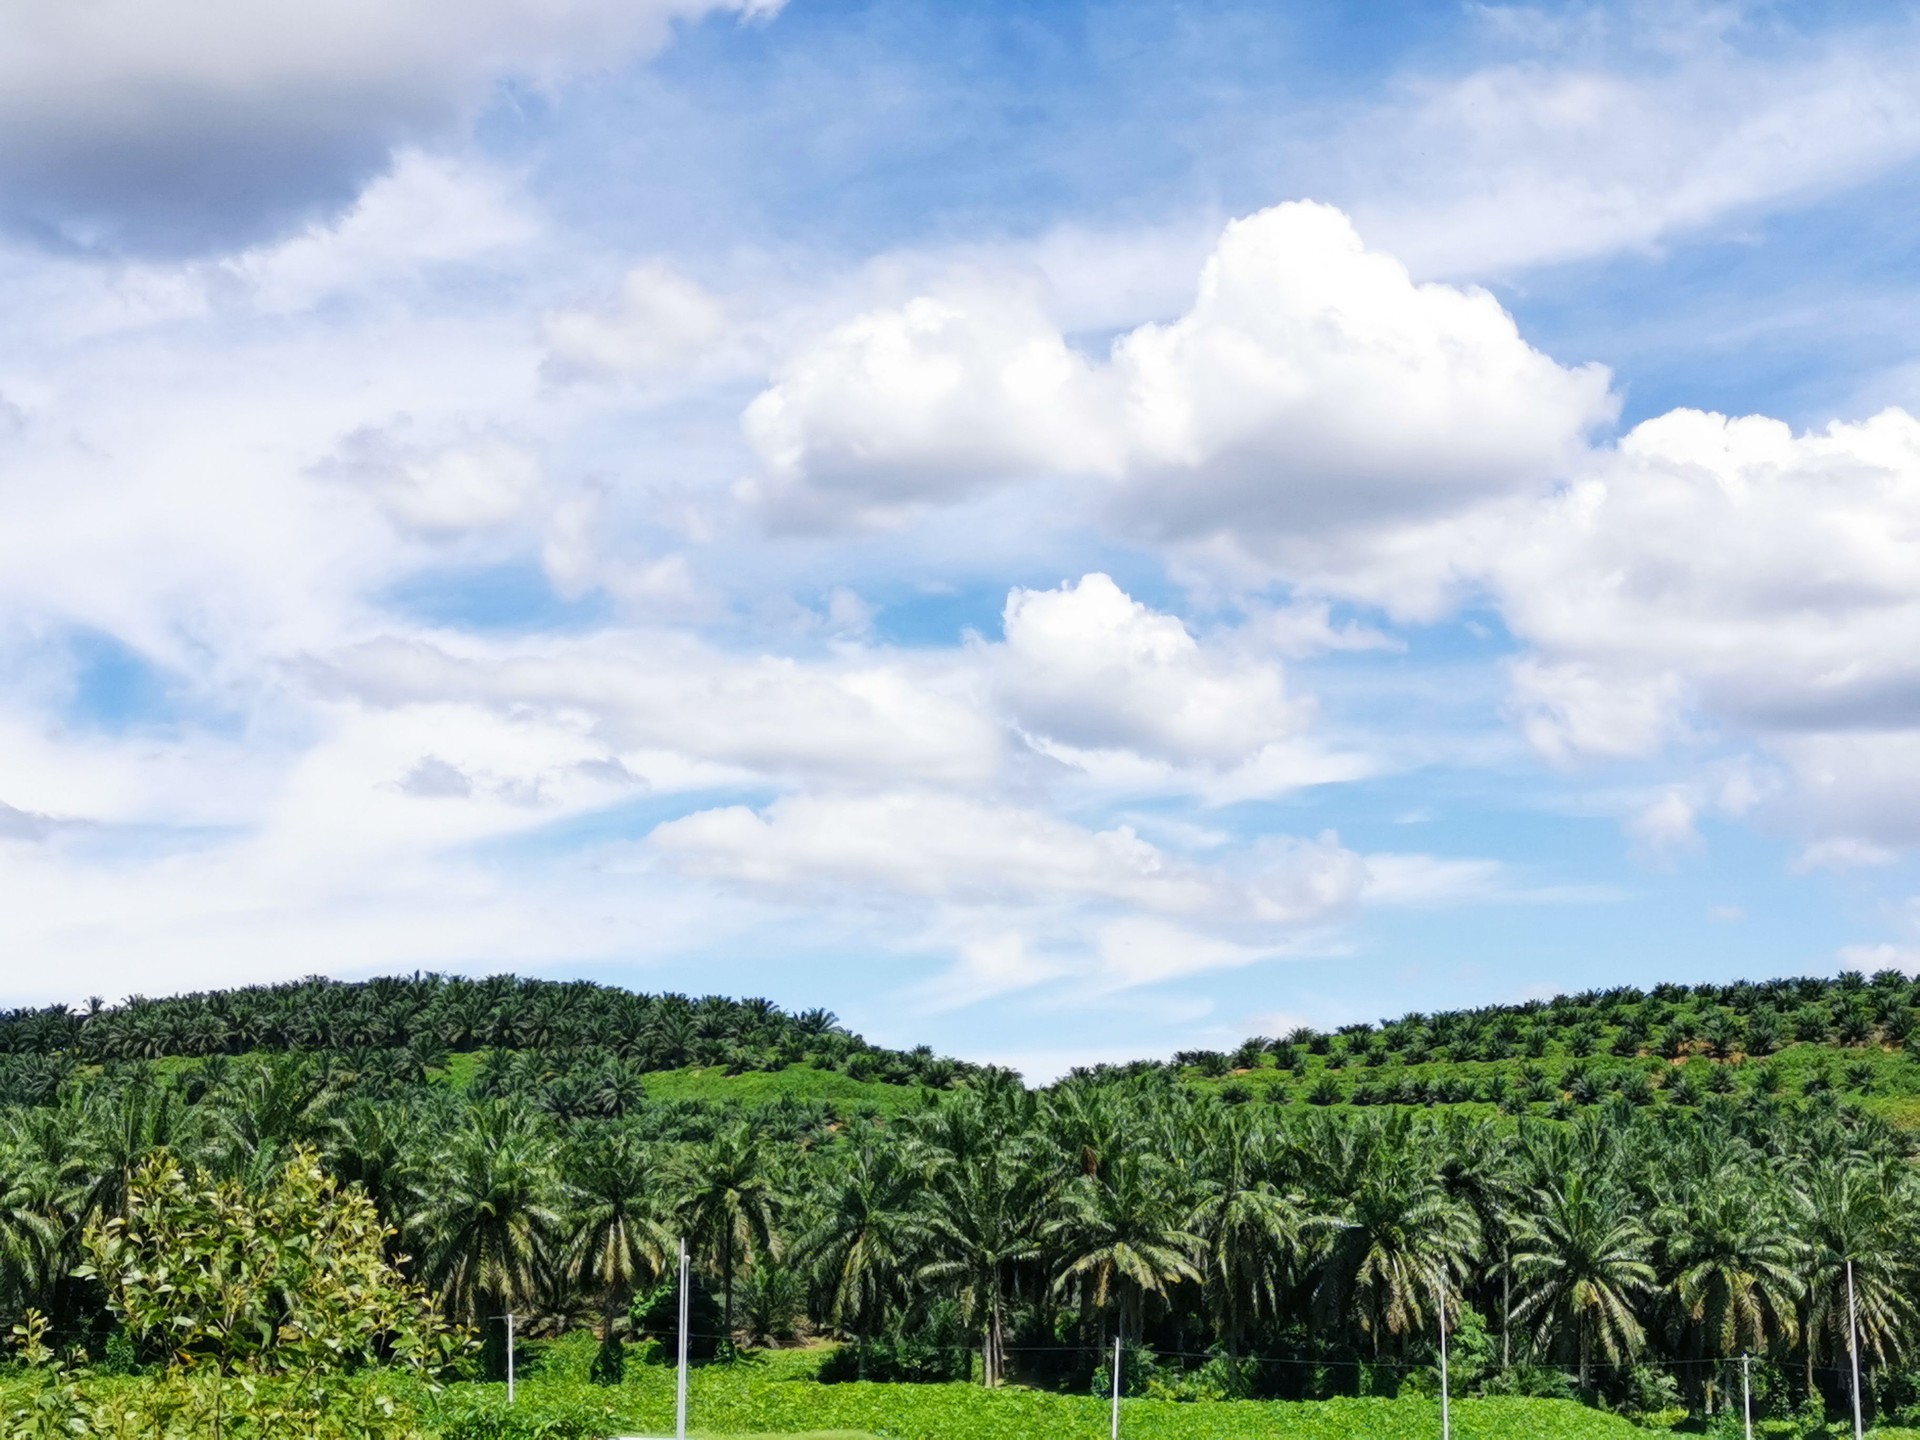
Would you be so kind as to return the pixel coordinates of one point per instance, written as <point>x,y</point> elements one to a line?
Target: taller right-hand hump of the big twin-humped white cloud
<point>1314,389</point>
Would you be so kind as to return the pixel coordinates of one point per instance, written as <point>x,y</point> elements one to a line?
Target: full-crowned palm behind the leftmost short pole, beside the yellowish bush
<point>487,1212</point>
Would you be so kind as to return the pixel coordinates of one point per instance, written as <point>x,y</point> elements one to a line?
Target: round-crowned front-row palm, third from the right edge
<point>1581,1259</point>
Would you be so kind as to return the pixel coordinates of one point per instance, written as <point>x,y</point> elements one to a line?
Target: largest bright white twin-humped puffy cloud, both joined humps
<point>1314,408</point>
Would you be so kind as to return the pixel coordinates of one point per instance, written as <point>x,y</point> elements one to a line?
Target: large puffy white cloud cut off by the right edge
<point>1735,573</point>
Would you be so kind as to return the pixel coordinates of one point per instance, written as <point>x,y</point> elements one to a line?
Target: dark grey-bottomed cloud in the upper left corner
<point>214,124</point>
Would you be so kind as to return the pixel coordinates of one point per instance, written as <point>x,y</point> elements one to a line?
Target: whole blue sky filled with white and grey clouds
<point>1059,533</point>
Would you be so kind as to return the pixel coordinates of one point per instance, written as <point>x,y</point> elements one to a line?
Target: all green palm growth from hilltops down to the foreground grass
<point>1591,1218</point>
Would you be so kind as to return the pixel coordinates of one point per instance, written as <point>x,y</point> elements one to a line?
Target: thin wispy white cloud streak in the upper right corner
<point>1577,153</point>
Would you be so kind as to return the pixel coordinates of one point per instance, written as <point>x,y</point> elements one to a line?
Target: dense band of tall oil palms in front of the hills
<point>1011,1236</point>
